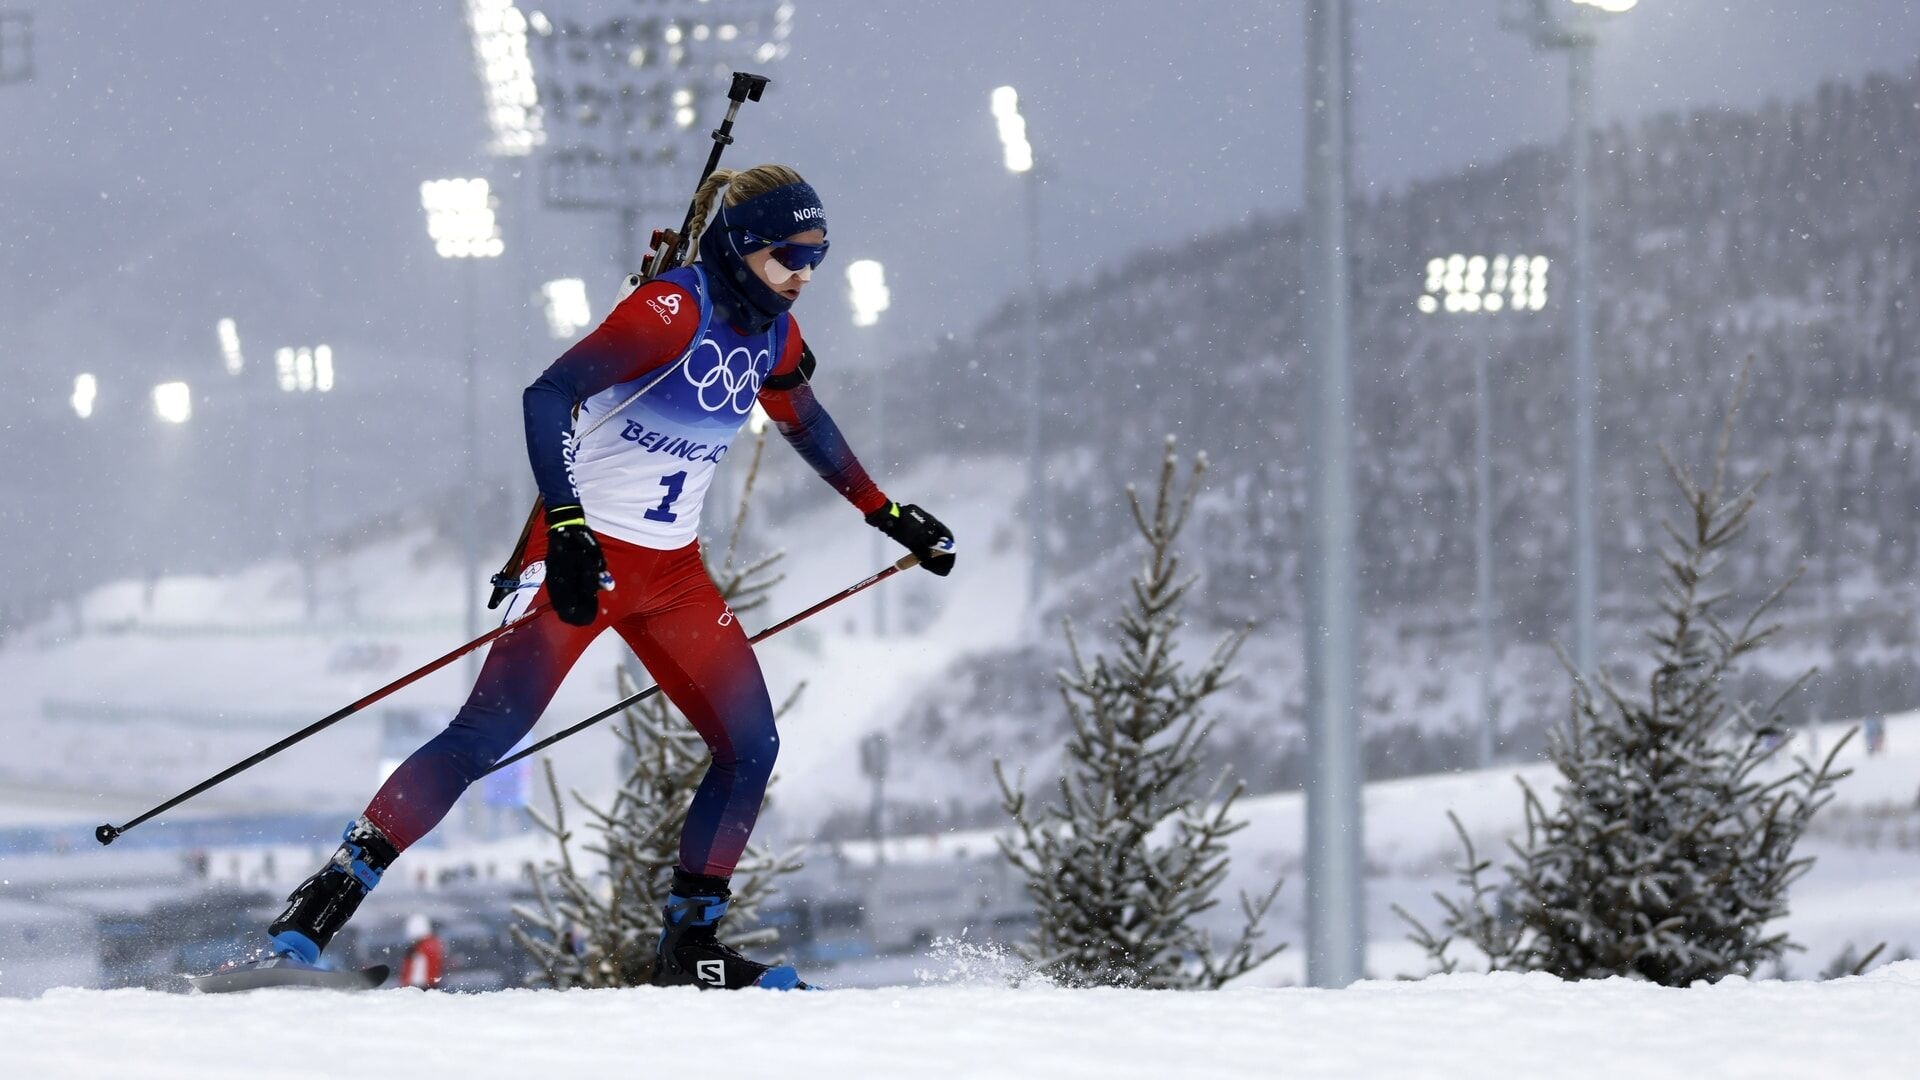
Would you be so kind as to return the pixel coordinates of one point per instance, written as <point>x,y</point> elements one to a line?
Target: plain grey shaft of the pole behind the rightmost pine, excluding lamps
<point>1581,349</point>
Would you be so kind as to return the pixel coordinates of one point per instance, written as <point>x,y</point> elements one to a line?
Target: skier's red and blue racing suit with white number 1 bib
<point>640,474</point>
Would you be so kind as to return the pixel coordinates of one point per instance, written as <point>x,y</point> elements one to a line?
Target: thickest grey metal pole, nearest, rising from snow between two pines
<point>1335,898</point>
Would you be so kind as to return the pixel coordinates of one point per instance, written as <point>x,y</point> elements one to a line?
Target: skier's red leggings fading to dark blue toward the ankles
<point>677,624</point>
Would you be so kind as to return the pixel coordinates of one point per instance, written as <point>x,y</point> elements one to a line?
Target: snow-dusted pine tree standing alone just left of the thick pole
<point>1132,856</point>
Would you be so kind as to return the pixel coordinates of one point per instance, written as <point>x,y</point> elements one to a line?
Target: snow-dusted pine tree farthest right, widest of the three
<point>1669,850</point>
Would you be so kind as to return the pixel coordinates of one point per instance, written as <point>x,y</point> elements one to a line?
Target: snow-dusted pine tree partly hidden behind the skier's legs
<point>598,925</point>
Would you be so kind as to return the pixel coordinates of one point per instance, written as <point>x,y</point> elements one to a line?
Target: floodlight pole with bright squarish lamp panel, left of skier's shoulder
<point>460,218</point>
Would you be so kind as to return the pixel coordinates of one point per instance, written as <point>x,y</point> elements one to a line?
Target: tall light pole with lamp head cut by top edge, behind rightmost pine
<point>1573,26</point>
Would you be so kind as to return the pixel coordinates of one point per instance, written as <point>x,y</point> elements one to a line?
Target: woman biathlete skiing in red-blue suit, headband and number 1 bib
<point>623,487</point>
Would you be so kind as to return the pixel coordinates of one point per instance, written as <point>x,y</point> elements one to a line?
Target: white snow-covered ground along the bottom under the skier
<point>1468,1027</point>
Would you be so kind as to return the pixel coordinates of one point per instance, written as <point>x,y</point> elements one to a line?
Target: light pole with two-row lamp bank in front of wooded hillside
<point>1468,285</point>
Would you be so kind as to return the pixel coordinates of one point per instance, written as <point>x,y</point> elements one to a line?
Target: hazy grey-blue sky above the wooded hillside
<point>176,162</point>
